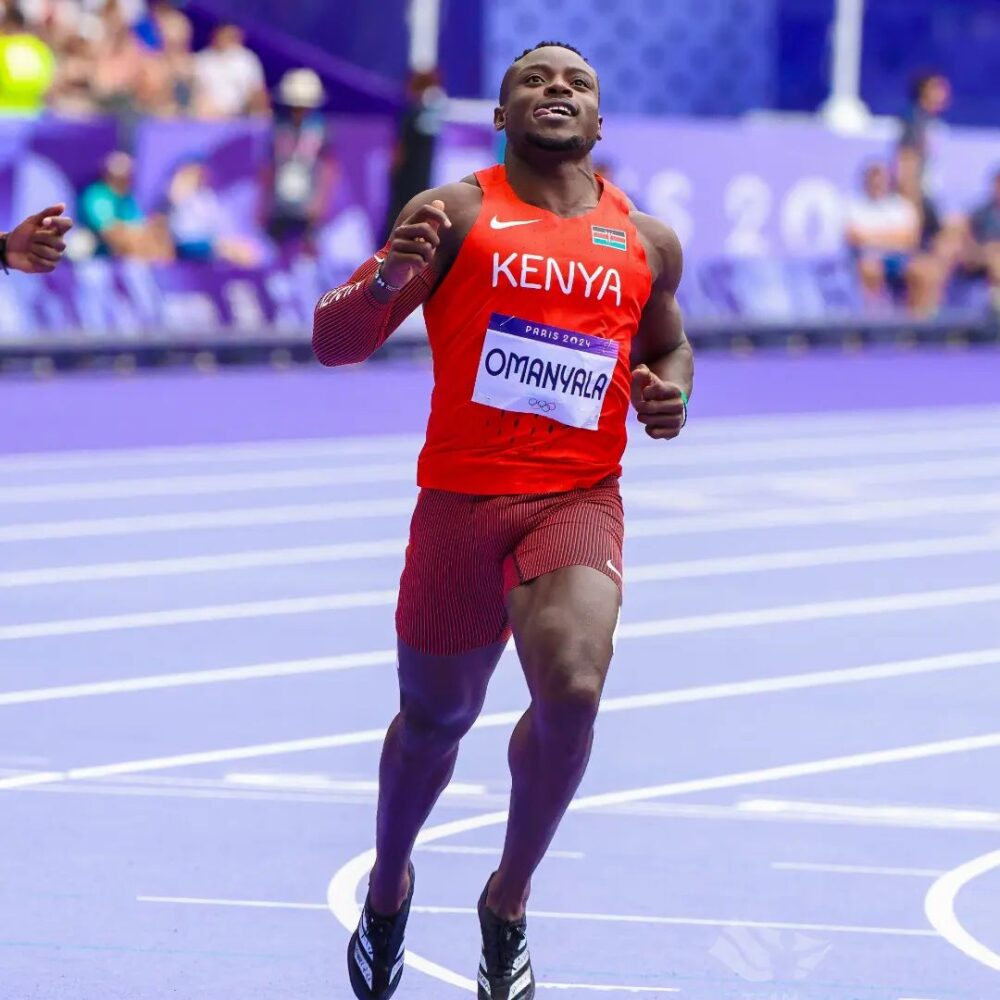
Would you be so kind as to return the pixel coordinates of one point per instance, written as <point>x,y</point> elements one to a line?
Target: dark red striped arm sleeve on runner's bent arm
<point>350,324</point>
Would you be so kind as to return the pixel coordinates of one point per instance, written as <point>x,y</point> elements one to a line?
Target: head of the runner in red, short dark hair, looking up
<point>549,100</point>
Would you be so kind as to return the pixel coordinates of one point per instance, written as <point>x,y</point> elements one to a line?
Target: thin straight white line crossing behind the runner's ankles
<point>599,918</point>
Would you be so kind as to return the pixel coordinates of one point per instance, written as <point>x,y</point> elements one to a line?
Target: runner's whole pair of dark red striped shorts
<point>466,553</point>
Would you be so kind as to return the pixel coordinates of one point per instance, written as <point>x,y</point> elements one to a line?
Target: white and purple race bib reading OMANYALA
<point>531,368</point>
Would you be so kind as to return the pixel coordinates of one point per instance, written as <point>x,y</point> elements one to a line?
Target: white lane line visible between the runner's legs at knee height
<point>496,719</point>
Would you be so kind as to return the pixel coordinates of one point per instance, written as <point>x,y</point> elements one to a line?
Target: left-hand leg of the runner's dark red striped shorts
<point>451,594</point>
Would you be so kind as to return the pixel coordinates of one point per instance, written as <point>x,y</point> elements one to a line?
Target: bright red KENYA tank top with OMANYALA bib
<point>531,331</point>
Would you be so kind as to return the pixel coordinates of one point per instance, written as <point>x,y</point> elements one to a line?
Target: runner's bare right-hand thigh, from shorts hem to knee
<point>564,624</point>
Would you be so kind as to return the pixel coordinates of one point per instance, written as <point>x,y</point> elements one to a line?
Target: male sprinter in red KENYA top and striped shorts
<point>549,300</point>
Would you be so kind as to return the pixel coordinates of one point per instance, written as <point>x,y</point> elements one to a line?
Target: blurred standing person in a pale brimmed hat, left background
<point>299,181</point>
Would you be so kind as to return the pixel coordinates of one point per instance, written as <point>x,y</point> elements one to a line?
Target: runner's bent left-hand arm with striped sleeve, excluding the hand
<point>351,322</point>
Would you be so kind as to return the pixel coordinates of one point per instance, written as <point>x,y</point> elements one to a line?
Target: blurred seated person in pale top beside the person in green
<point>199,224</point>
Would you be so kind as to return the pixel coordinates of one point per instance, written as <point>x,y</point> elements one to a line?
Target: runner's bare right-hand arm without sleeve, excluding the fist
<point>660,343</point>
